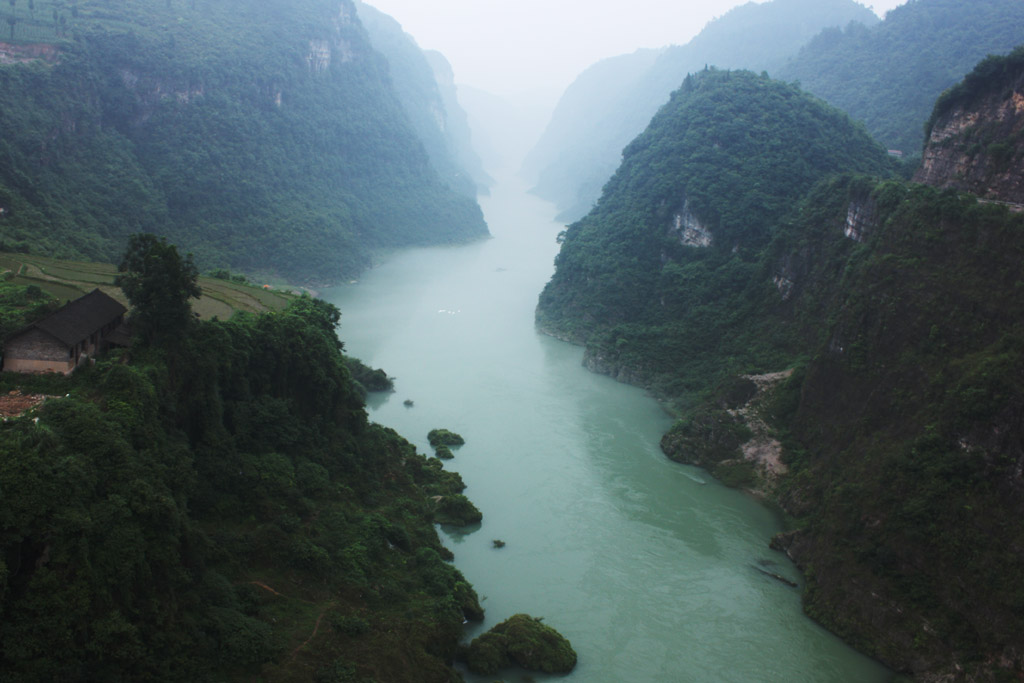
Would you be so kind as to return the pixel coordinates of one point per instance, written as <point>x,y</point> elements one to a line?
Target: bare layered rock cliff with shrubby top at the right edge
<point>977,146</point>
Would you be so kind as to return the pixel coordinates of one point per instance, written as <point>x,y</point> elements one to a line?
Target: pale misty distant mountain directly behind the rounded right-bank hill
<point>571,168</point>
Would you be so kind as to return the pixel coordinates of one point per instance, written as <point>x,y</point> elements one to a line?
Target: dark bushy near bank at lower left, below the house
<point>221,508</point>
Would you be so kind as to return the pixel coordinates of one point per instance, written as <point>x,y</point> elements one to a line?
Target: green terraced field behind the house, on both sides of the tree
<point>70,280</point>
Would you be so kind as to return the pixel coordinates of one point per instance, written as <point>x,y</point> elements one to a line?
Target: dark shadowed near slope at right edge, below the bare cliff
<point>905,431</point>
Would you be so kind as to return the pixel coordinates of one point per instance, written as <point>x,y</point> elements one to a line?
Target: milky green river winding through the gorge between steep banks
<point>648,567</point>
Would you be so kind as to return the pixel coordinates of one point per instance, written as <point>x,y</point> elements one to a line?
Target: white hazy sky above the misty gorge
<point>513,47</point>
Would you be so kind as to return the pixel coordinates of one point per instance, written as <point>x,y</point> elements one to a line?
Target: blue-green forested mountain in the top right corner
<point>890,74</point>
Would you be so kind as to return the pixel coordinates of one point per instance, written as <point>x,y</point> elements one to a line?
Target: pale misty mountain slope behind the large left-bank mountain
<point>437,118</point>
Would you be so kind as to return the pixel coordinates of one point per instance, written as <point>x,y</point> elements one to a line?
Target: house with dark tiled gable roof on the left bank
<point>61,341</point>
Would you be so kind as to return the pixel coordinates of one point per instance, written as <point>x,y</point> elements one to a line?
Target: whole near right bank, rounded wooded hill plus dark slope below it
<point>895,436</point>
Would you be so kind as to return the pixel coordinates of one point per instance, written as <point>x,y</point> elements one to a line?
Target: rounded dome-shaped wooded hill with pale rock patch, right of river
<point>658,279</point>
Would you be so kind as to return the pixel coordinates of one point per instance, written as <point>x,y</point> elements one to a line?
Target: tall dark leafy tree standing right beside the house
<point>159,285</point>
